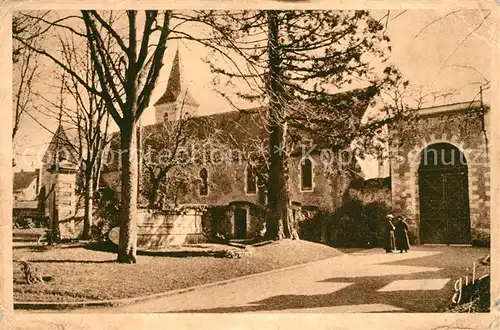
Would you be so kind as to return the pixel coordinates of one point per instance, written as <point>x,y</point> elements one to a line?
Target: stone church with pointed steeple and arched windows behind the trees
<point>231,185</point>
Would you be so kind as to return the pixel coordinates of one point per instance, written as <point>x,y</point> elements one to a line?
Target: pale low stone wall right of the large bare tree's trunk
<point>168,228</point>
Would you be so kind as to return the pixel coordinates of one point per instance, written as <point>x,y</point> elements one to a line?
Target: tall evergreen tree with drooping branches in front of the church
<point>296,63</point>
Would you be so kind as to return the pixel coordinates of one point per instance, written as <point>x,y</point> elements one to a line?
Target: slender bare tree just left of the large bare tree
<point>85,119</point>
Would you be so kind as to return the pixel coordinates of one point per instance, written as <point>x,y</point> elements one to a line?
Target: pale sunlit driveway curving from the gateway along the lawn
<point>331,285</point>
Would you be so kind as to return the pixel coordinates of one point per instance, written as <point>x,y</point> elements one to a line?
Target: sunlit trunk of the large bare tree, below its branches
<point>127,248</point>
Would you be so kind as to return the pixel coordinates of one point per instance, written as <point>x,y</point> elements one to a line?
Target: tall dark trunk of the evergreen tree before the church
<point>278,223</point>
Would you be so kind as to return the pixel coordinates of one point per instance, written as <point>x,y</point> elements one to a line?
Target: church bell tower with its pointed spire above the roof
<point>177,102</point>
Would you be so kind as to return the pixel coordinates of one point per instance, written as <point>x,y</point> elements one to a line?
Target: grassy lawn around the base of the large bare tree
<point>82,274</point>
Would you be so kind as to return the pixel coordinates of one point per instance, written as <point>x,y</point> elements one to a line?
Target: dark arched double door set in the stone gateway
<point>444,195</point>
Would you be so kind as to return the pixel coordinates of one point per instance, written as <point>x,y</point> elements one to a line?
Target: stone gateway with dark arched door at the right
<point>440,173</point>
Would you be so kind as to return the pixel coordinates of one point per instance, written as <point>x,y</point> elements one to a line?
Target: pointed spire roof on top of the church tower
<point>176,89</point>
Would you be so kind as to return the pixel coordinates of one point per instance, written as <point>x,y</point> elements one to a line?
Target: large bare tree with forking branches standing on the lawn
<point>126,75</point>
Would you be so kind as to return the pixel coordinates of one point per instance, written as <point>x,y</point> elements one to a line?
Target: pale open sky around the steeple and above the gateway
<point>440,52</point>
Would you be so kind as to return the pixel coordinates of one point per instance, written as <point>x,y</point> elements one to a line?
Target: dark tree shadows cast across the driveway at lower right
<point>364,289</point>
